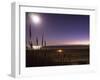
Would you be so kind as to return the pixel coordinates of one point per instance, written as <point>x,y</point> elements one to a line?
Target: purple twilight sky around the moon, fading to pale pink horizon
<point>59,29</point>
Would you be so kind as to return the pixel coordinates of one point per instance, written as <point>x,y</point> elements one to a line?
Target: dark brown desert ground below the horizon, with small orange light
<point>51,56</point>
